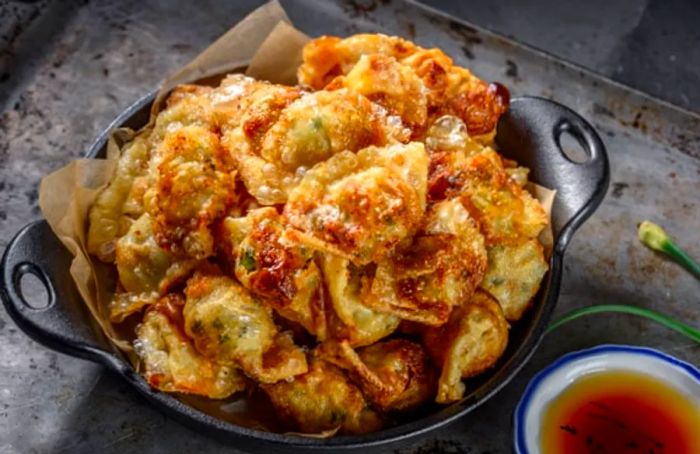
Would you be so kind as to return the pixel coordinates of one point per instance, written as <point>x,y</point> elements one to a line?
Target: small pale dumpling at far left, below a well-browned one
<point>145,267</point>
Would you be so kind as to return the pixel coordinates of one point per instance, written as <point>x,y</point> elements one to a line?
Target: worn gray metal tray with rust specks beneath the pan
<point>90,61</point>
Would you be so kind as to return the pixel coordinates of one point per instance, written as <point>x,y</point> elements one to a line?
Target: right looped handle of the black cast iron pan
<point>530,132</point>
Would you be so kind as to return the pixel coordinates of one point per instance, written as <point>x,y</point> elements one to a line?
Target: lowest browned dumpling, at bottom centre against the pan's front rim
<point>322,399</point>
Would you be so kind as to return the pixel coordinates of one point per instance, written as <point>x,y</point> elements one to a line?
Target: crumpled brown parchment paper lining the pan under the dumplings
<point>270,48</point>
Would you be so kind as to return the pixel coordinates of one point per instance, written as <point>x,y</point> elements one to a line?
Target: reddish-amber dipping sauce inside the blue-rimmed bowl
<point>621,412</point>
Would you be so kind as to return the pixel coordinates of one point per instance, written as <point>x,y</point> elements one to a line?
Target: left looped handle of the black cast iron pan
<point>60,324</point>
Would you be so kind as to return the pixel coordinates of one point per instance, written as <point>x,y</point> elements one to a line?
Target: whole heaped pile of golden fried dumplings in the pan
<point>352,247</point>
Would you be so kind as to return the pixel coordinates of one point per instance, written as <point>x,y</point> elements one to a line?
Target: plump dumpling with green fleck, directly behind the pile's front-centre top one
<point>274,151</point>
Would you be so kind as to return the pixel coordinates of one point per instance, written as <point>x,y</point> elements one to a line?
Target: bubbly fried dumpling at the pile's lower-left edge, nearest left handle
<point>171,364</point>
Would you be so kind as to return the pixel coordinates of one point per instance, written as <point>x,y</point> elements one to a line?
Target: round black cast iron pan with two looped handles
<point>529,132</point>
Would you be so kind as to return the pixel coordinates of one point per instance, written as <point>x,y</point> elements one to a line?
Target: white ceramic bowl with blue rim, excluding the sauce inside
<point>552,380</point>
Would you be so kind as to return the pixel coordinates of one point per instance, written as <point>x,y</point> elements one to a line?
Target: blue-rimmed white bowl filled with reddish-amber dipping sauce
<point>612,399</point>
